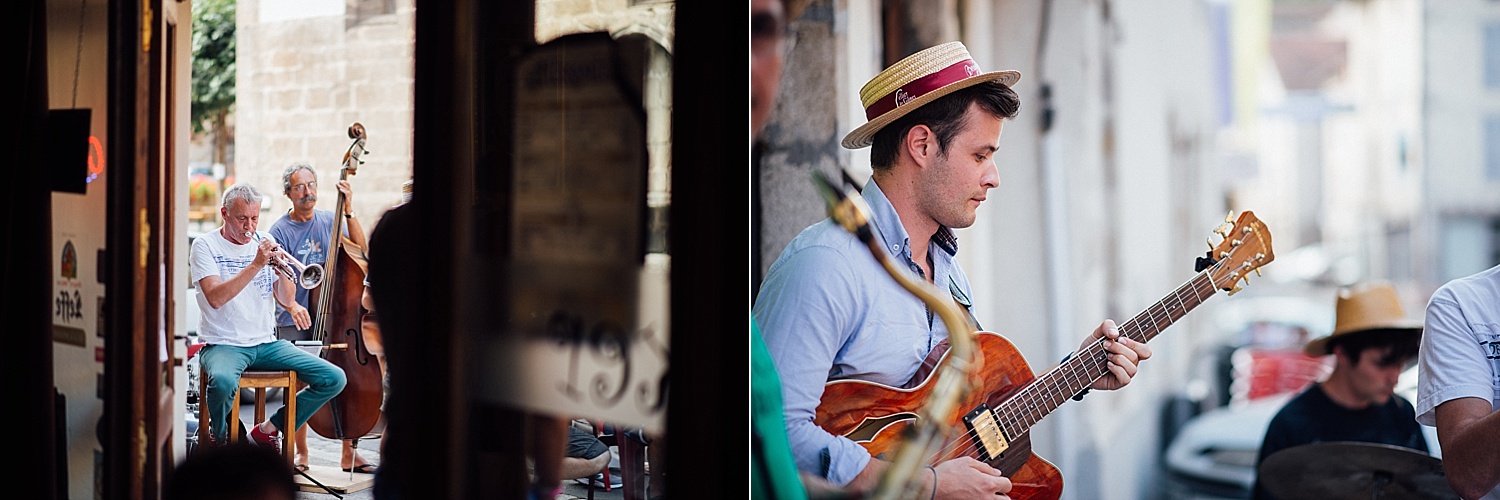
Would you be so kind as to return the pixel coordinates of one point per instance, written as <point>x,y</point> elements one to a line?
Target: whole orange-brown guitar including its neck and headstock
<point>994,420</point>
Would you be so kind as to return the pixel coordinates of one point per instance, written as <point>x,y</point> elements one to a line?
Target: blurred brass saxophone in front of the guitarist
<point>953,381</point>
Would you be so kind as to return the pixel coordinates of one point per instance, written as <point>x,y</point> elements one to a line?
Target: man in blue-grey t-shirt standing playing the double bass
<point>304,233</point>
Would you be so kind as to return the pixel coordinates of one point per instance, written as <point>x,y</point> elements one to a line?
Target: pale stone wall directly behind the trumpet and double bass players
<point>305,76</point>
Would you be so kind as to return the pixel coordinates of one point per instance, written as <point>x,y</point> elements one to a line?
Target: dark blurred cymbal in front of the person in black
<point>1354,471</point>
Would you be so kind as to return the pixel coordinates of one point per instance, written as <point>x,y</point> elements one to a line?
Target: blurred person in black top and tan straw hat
<point>1373,342</point>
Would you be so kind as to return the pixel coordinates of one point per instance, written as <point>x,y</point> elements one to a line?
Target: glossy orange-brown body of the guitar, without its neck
<point>877,415</point>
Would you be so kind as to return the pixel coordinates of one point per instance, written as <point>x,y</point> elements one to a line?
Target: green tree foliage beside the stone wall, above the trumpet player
<point>212,65</point>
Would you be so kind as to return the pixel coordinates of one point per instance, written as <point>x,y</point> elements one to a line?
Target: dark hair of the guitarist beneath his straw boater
<point>946,116</point>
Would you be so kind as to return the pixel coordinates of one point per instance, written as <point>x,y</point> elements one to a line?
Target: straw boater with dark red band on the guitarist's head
<point>917,80</point>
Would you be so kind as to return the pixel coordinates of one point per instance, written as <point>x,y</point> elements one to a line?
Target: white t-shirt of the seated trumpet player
<point>248,319</point>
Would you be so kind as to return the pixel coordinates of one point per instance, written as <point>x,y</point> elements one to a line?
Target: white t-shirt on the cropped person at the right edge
<point>1460,355</point>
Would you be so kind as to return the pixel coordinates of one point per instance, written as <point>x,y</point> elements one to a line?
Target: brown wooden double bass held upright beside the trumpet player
<point>337,324</point>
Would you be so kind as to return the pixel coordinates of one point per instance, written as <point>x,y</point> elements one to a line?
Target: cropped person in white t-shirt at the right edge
<point>1459,381</point>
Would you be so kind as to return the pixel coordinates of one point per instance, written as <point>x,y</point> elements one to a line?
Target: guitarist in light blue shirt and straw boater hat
<point>830,312</point>
